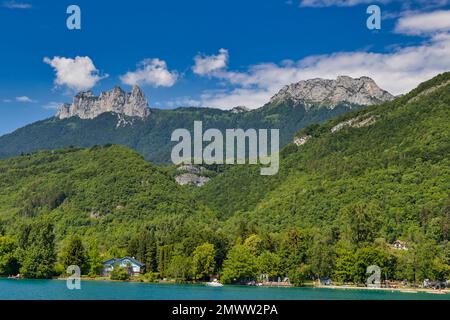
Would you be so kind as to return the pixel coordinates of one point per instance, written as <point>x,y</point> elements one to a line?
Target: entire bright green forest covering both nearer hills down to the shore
<point>336,207</point>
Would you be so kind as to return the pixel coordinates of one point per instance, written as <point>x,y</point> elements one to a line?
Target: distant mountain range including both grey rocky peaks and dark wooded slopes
<point>124,118</point>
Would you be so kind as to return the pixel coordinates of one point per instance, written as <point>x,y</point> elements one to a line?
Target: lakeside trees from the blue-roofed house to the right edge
<point>342,251</point>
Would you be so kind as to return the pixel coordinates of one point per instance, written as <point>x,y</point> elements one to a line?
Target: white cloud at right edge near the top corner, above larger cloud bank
<point>424,23</point>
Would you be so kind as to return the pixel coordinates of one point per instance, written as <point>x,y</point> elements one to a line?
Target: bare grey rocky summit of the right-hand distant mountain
<point>330,93</point>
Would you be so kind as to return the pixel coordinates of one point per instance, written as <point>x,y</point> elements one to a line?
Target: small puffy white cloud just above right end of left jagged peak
<point>151,72</point>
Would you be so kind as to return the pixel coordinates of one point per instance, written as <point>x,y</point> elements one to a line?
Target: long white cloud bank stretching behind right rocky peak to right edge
<point>398,72</point>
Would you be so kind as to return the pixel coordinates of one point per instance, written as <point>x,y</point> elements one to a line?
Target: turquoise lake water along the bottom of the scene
<point>96,290</point>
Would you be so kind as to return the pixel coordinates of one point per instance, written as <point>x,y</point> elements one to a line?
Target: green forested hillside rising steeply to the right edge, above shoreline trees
<point>406,147</point>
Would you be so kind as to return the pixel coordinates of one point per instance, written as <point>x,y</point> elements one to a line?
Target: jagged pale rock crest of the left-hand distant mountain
<point>86,105</point>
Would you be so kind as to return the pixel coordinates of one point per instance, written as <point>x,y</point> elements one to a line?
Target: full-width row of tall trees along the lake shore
<point>340,252</point>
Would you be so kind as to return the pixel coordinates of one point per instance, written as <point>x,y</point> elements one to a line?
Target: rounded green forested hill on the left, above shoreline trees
<point>106,193</point>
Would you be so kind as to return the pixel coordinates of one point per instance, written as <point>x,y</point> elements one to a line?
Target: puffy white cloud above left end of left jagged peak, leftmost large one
<point>76,74</point>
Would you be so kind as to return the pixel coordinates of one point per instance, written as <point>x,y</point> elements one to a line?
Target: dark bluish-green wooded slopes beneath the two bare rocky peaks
<point>151,136</point>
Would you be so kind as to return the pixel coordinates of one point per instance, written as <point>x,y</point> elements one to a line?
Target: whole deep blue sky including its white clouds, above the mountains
<point>209,52</point>
